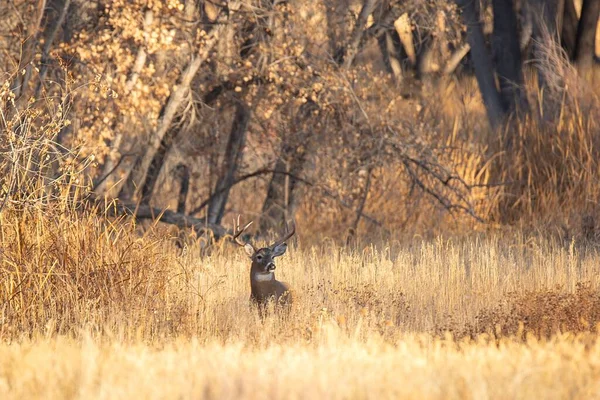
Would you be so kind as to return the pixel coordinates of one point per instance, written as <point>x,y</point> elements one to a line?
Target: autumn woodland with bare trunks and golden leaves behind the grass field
<point>351,117</point>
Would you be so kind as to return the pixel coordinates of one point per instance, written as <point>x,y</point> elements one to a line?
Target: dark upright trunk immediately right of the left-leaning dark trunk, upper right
<point>507,52</point>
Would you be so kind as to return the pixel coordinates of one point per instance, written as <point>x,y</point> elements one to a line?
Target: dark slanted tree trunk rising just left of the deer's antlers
<point>233,155</point>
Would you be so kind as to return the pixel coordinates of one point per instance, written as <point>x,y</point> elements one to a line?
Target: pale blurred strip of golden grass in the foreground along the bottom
<point>415,367</point>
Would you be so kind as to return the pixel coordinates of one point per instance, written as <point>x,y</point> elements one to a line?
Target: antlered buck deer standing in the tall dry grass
<point>264,287</point>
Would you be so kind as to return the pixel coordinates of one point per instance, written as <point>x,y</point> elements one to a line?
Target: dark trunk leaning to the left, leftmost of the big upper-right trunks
<point>484,69</point>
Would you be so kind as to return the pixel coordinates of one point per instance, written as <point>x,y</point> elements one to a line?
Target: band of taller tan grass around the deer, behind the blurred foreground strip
<point>64,273</point>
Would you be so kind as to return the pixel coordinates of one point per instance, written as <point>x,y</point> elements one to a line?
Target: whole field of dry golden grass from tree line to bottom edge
<point>96,310</point>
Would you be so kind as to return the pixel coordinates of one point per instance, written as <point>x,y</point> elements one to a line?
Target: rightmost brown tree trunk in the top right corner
<point>586,37</point>
